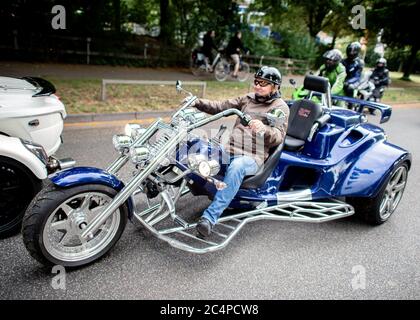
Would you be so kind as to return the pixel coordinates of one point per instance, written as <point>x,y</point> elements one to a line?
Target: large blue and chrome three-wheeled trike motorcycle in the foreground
<point>331,165</point>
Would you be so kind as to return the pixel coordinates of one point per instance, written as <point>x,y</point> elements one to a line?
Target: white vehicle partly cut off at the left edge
<point>31,123</point>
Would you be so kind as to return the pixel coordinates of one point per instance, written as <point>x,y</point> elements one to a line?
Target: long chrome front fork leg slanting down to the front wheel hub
<point>128,190</point>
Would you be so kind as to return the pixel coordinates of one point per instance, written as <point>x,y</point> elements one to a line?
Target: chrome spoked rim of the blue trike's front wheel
<point>61,234</point>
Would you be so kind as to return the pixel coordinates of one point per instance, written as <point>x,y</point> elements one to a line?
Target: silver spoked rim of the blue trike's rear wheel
<point>393,193</point>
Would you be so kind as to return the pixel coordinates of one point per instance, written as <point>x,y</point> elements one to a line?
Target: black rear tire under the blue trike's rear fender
<point>371,209</point>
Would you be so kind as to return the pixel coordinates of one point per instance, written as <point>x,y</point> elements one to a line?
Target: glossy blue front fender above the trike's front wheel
<point>90,175</point>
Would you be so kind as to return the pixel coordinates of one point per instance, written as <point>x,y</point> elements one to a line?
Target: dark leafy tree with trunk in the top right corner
<point>398,20</point>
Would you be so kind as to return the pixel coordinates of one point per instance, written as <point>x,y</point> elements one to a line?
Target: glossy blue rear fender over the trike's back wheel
<point>368,173</point>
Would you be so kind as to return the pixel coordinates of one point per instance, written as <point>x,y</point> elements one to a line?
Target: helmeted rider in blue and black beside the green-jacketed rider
<point>354,68</point>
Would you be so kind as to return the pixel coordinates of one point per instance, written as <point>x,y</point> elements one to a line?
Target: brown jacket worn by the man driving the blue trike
<point>242,140</point>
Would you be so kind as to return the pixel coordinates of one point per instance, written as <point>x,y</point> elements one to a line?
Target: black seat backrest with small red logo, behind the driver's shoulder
<point>303,114</point>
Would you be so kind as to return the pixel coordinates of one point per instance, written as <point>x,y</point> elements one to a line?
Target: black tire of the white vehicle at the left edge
<point>18,186</point>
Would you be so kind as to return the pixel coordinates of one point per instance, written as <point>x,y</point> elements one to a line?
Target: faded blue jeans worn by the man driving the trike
<point>239,167</point>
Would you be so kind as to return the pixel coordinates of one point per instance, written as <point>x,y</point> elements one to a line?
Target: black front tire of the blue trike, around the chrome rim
<point>42,208</point>
